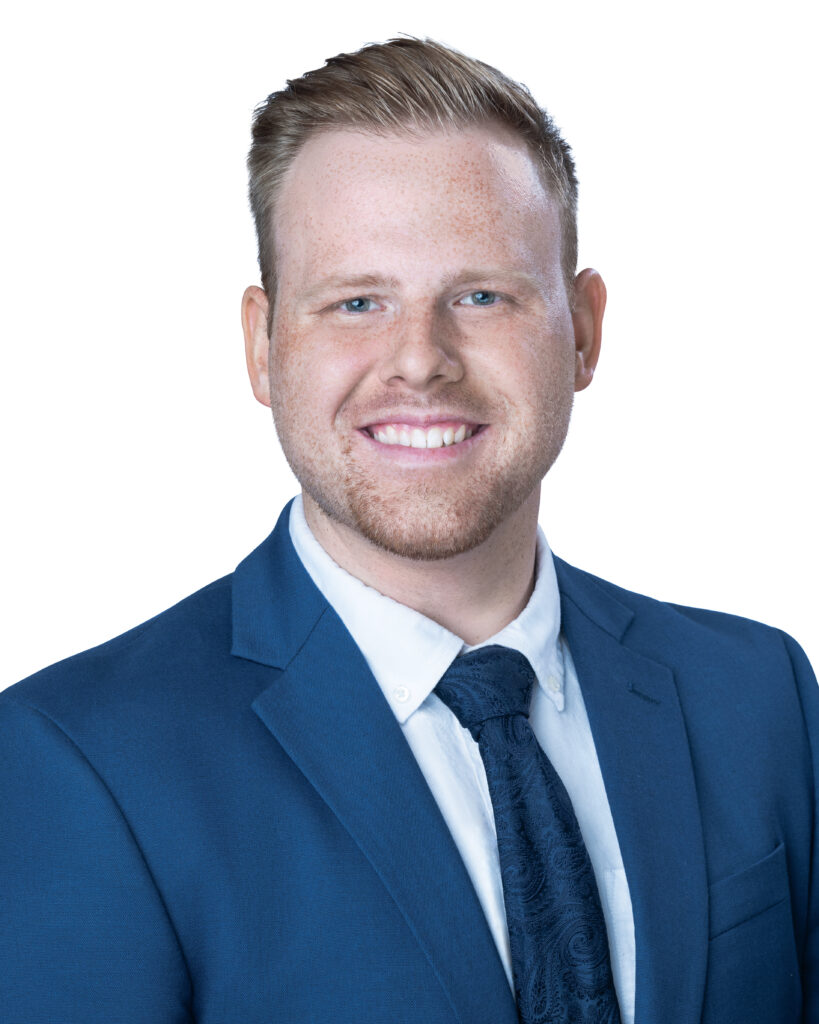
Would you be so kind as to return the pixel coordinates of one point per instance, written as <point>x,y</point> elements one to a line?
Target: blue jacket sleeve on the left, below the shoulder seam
<point>84,934</point>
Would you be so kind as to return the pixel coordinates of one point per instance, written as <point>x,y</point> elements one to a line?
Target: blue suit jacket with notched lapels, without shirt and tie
<point>217,818</point>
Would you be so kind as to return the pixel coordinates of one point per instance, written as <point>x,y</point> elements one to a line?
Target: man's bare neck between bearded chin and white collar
<point>473,595</point>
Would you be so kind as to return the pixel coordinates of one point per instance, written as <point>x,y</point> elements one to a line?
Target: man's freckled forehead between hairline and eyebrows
<point>446,194</point>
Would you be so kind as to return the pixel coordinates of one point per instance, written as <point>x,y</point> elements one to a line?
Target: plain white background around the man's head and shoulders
<point>138,466</point>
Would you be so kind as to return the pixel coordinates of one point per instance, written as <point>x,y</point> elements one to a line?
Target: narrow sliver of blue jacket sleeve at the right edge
<point>809,696</point>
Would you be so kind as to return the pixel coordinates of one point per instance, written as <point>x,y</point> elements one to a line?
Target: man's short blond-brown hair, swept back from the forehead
<point>406,86</point>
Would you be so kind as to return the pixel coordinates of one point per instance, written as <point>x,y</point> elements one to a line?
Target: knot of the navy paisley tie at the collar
<point>490,682</point>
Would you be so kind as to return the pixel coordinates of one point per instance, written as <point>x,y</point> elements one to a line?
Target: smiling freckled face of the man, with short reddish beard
<point>422,354</point>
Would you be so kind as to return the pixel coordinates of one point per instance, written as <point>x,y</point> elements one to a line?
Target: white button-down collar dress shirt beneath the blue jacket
<point>408,654</point>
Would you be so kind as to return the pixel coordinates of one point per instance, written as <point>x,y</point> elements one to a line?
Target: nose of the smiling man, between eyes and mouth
<point>424,354</point>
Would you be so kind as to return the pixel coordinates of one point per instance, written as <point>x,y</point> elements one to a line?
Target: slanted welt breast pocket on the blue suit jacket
<point>752,891</point>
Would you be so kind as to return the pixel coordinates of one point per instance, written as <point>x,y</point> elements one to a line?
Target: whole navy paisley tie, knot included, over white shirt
<point>561,960</point>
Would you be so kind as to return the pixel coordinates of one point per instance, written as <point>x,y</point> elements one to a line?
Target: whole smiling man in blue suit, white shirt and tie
<point>277,800</point>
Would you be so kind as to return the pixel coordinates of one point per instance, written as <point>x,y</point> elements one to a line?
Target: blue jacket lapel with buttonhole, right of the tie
<point>641,741</point>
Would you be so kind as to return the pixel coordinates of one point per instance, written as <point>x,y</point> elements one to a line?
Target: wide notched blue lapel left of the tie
<point>330,716</point>
